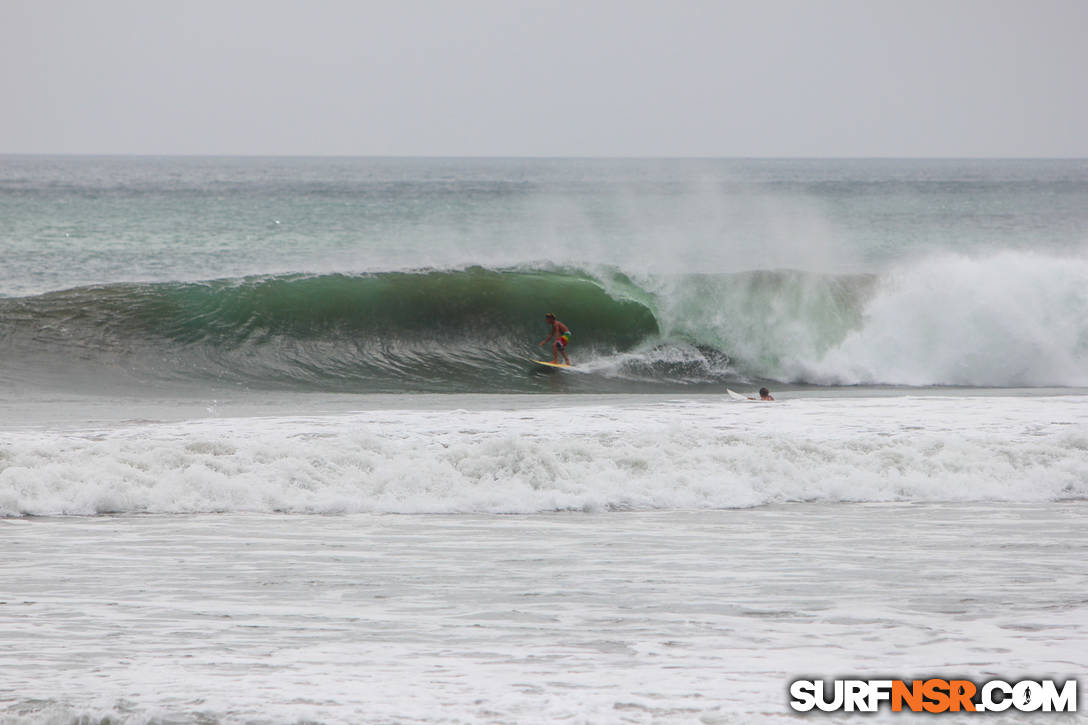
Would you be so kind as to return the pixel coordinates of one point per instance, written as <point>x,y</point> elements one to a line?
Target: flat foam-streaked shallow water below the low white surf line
<point>620,618</point>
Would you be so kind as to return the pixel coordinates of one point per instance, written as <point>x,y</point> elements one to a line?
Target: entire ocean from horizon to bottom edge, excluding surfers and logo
<point>274,450</point>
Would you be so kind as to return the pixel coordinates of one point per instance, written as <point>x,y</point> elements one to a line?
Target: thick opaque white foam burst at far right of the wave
<point>1009,320</point>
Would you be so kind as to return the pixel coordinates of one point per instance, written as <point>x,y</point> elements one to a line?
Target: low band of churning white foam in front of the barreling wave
<point>678,454</point>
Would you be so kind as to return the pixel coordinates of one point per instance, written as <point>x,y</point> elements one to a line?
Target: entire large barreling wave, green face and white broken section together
<point>1010,321</point>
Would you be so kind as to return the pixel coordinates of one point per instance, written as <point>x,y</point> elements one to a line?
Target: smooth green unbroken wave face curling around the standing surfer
<point>471,330</point>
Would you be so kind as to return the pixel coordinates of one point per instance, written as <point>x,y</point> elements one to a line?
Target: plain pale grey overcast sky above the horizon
<point>520,78</point>
